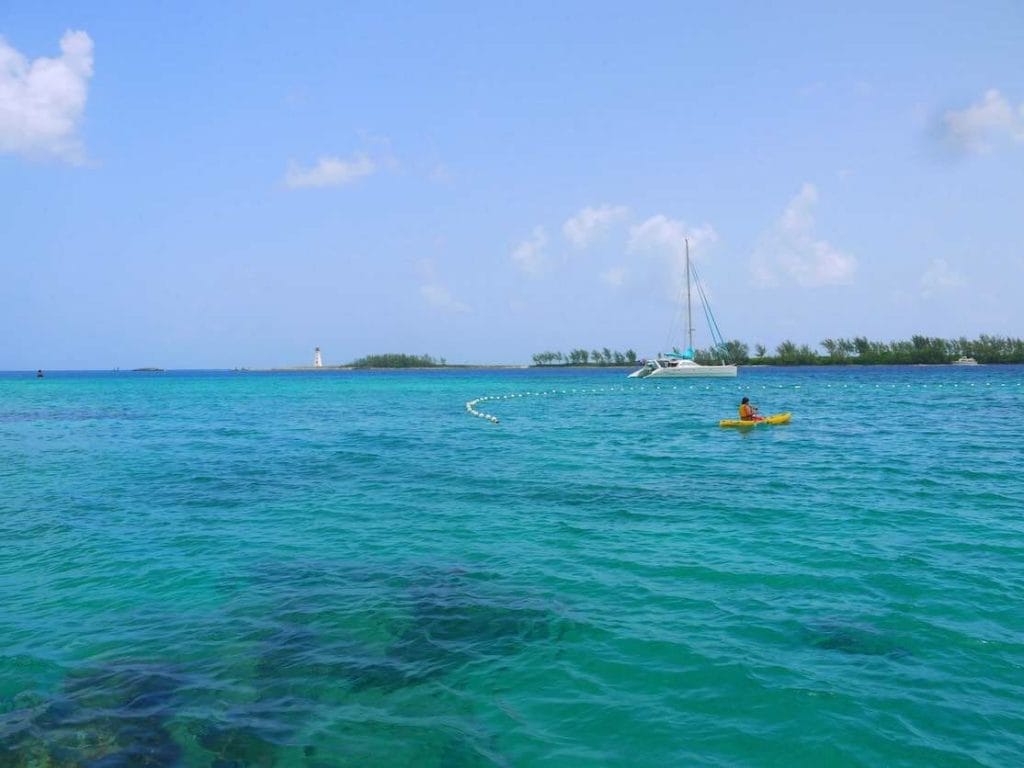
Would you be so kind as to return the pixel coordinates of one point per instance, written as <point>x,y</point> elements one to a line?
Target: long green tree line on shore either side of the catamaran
<point>857,352</point>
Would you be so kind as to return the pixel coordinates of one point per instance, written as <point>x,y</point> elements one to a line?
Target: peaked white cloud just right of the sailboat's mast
<point>791,248</point>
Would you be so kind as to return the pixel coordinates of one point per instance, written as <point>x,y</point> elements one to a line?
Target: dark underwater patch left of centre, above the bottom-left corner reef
<point>428,623</point>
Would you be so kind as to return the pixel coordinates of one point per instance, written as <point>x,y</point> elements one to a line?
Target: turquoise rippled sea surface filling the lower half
<point>349,569</point>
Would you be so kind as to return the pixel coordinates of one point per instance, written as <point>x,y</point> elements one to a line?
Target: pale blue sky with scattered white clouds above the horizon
<point>216,185</point>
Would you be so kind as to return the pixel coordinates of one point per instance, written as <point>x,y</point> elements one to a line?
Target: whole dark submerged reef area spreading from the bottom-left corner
<point>318,635</point>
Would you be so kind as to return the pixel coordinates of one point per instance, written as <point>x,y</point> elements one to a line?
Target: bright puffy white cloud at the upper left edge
<point>42,102</point>
